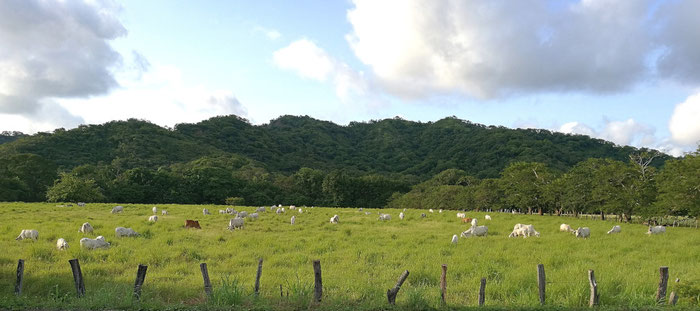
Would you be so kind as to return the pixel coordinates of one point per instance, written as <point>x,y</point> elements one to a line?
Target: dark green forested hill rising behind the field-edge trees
<point>289,143</point>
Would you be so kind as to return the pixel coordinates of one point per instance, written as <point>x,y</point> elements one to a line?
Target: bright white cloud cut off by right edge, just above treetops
<point>685,121</point>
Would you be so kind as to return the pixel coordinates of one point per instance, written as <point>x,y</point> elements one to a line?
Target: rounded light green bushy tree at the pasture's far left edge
<point>70,188</point>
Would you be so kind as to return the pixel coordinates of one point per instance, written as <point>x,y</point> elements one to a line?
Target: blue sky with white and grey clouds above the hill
<point>623,71</point>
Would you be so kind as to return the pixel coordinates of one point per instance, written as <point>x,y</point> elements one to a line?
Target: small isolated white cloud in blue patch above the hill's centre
<point>310,61</point>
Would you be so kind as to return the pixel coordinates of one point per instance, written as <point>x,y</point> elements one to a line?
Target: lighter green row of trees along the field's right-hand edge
<point>600,186</point>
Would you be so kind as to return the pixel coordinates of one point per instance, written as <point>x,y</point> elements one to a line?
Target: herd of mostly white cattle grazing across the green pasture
<point>238,222</point>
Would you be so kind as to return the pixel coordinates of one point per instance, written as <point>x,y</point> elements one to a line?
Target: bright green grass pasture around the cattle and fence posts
<point>361,257</point>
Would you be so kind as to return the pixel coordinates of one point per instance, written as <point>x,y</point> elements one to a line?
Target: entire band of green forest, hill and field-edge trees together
<point>450,163</point>
